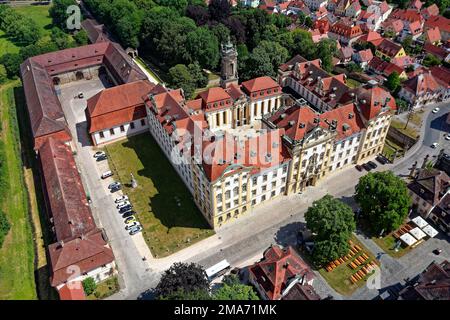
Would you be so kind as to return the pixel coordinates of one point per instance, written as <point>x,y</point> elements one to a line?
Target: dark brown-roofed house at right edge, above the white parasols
<point>427,190</point>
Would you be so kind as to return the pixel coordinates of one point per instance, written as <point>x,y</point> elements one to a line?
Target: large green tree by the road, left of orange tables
<point>332,222</point>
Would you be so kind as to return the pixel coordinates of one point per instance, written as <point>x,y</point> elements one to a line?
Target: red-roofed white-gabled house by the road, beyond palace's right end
<point>421,90</point>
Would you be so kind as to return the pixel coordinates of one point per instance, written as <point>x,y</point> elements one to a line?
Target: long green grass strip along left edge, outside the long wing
<point>17,253</point>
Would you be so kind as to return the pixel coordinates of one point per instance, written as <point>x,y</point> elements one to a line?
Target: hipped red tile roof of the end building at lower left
<point>86,253</point>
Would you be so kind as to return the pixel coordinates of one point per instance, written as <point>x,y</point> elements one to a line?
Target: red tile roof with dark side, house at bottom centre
<point>277,268</point>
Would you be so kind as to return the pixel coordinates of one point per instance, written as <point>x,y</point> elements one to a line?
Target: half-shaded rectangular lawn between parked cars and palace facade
<point>163,204</point>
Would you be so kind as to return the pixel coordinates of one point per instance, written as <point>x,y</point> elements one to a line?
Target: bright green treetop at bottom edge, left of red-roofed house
<point>232,289</point>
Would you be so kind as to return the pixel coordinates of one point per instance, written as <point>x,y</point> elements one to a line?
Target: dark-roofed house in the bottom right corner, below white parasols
<point>432,284</point>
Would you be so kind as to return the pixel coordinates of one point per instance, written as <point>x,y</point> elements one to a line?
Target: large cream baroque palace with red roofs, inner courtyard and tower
<point>238,145</point>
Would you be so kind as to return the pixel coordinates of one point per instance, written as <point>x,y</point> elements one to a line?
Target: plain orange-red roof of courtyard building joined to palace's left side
<point>117,105</point>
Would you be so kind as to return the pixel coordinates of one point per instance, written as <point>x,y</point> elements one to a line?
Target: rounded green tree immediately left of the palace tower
<point>202,46</point>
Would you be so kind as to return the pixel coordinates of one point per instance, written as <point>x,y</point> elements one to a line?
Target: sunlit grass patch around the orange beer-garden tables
<point>339,278</point>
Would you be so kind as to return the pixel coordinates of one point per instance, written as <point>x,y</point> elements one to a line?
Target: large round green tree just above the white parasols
<point>383,199</point>
